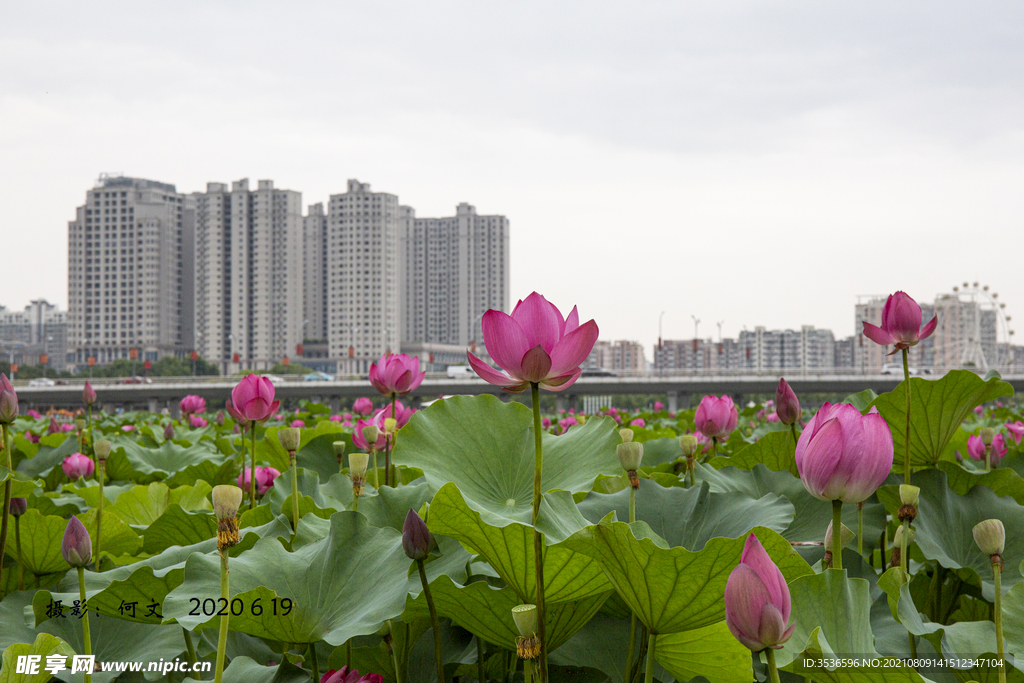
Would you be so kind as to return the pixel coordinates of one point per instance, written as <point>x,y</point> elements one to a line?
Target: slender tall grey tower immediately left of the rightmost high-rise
<point>363,277</point>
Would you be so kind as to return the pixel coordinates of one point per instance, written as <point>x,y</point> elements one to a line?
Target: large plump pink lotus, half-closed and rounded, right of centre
<point>843,455</point>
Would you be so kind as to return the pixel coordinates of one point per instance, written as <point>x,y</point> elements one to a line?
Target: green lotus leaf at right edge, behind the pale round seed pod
<point>946,522</point>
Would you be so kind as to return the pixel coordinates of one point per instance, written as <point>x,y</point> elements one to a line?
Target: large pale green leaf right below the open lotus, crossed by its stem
<point>487,449</point>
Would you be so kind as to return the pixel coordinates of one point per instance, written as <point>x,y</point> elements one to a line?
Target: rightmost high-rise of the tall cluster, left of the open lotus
<point>453,271</point>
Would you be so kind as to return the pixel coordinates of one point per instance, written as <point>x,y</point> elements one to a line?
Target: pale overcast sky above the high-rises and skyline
<point>758,163</point>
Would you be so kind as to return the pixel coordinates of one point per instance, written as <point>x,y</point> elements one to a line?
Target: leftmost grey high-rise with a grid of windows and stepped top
<point>126,250</point>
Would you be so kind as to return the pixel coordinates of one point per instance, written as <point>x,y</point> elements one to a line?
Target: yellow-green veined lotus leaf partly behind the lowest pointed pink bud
<point>674,589</point>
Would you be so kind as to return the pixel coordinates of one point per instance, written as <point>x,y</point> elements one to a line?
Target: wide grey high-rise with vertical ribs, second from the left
<point>249,261</point>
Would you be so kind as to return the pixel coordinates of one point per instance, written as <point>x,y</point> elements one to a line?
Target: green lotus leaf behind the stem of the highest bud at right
<point>937,410</point>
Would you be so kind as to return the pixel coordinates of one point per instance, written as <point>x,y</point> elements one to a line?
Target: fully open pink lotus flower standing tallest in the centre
<point>535,345</point>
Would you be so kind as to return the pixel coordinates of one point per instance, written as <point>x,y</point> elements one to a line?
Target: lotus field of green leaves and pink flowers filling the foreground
<point>480,540</point>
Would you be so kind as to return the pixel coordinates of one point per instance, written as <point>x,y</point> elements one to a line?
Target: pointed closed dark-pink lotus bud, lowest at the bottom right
<point>757,601</point>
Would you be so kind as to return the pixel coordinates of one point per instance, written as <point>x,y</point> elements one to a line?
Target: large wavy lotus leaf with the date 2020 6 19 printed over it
<point>346,585</point>
